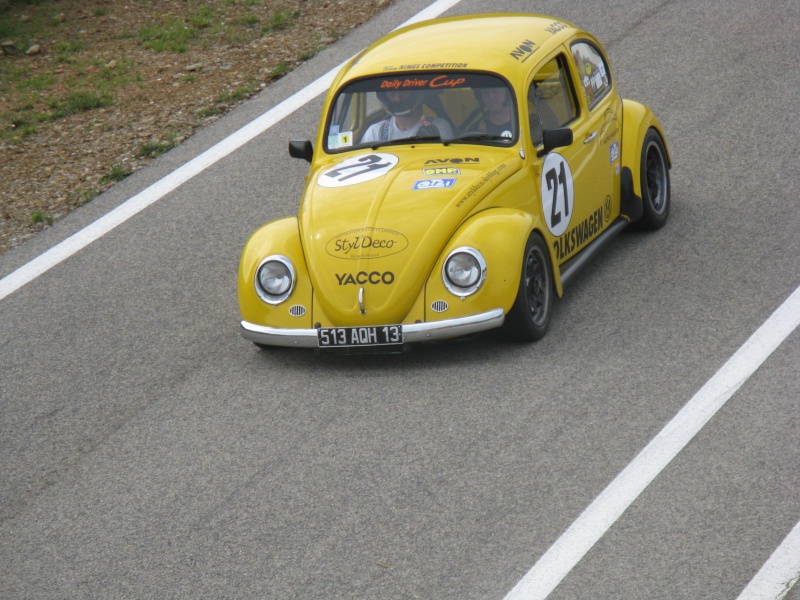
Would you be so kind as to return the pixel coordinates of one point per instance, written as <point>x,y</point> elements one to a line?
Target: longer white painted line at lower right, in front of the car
<point>601,514</point>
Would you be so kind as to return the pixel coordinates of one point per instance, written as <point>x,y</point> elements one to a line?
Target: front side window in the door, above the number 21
<point>551,99</point>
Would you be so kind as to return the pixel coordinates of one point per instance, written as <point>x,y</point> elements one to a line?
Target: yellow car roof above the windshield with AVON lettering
<point>493,42</point>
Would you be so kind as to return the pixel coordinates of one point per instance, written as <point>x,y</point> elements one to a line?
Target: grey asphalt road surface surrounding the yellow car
<point>147,451</point>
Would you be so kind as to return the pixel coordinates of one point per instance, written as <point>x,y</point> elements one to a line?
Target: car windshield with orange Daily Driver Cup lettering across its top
<point>422,107</point>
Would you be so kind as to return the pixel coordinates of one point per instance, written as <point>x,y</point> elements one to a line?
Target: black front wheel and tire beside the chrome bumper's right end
<point>529,318</point>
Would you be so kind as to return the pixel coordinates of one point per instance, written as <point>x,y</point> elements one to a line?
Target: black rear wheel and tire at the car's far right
<point>655,182</point>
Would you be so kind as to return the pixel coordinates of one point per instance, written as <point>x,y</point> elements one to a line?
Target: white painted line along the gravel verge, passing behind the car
<point>78,241</point>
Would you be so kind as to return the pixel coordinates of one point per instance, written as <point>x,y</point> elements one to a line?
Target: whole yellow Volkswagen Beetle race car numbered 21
<point>464,171</point>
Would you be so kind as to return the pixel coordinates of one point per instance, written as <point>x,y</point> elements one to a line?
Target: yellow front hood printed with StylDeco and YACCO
<point>379,220</point>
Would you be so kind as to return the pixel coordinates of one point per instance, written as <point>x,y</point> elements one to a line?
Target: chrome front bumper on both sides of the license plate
<point>412,333</point>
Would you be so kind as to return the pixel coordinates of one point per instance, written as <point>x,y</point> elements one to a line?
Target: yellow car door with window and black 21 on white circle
<point>574,186</point>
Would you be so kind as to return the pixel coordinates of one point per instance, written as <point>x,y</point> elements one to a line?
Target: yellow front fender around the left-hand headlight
<point>277,237</point>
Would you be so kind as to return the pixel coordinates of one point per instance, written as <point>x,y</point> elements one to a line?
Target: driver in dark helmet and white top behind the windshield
<point>406,121</point>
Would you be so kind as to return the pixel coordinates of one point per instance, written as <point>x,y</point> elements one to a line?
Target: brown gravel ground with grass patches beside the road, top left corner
<point>91,90</point>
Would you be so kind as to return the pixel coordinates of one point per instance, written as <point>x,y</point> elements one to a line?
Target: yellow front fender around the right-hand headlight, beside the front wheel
<point>500,235</point>
